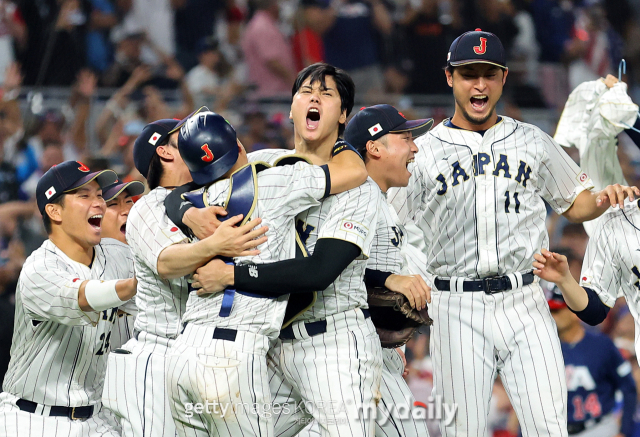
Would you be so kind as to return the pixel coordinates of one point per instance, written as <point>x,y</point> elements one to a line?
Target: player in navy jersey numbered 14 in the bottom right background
<point>593,378</point>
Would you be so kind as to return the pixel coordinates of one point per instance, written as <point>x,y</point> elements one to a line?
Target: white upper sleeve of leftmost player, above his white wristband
<point>49,292</point>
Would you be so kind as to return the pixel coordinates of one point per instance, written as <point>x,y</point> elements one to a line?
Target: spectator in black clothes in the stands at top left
<point>56,45</point>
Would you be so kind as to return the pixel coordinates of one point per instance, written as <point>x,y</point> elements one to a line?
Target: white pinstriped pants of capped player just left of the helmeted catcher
<point>134,388</point>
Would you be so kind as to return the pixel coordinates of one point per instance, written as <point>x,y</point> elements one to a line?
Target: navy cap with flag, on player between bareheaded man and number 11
<point>375,121</point>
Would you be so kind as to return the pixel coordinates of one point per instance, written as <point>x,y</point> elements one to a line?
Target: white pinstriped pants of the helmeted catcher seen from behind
<point>219,387</point>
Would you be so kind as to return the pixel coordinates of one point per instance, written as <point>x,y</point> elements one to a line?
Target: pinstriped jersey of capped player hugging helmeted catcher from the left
<point>160,302</point>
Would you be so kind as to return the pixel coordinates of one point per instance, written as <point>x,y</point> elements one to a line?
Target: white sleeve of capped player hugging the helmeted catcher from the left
<point>149,232</point>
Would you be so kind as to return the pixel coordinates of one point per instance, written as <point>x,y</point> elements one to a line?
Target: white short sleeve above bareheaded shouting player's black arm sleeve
<point>353,217</point>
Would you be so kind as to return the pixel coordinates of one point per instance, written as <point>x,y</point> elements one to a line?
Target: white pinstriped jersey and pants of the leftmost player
<point>58,354</point>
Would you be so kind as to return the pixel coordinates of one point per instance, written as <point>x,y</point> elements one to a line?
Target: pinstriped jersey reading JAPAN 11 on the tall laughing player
<point>478,198</point>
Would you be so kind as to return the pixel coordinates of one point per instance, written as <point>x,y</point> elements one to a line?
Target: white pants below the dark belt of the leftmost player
<point>17,423</point>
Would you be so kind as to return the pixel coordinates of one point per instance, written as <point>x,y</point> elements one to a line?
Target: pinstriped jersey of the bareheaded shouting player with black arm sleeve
<point>351,216</point>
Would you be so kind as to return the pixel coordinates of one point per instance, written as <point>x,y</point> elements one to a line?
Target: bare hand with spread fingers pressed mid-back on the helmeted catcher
<point>232,241</point>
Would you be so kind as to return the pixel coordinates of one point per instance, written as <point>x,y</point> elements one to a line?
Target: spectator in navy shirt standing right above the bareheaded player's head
<point>350,30</point>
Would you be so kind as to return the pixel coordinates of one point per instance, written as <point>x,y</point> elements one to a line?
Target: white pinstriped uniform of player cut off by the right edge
<point>611,264</point>
